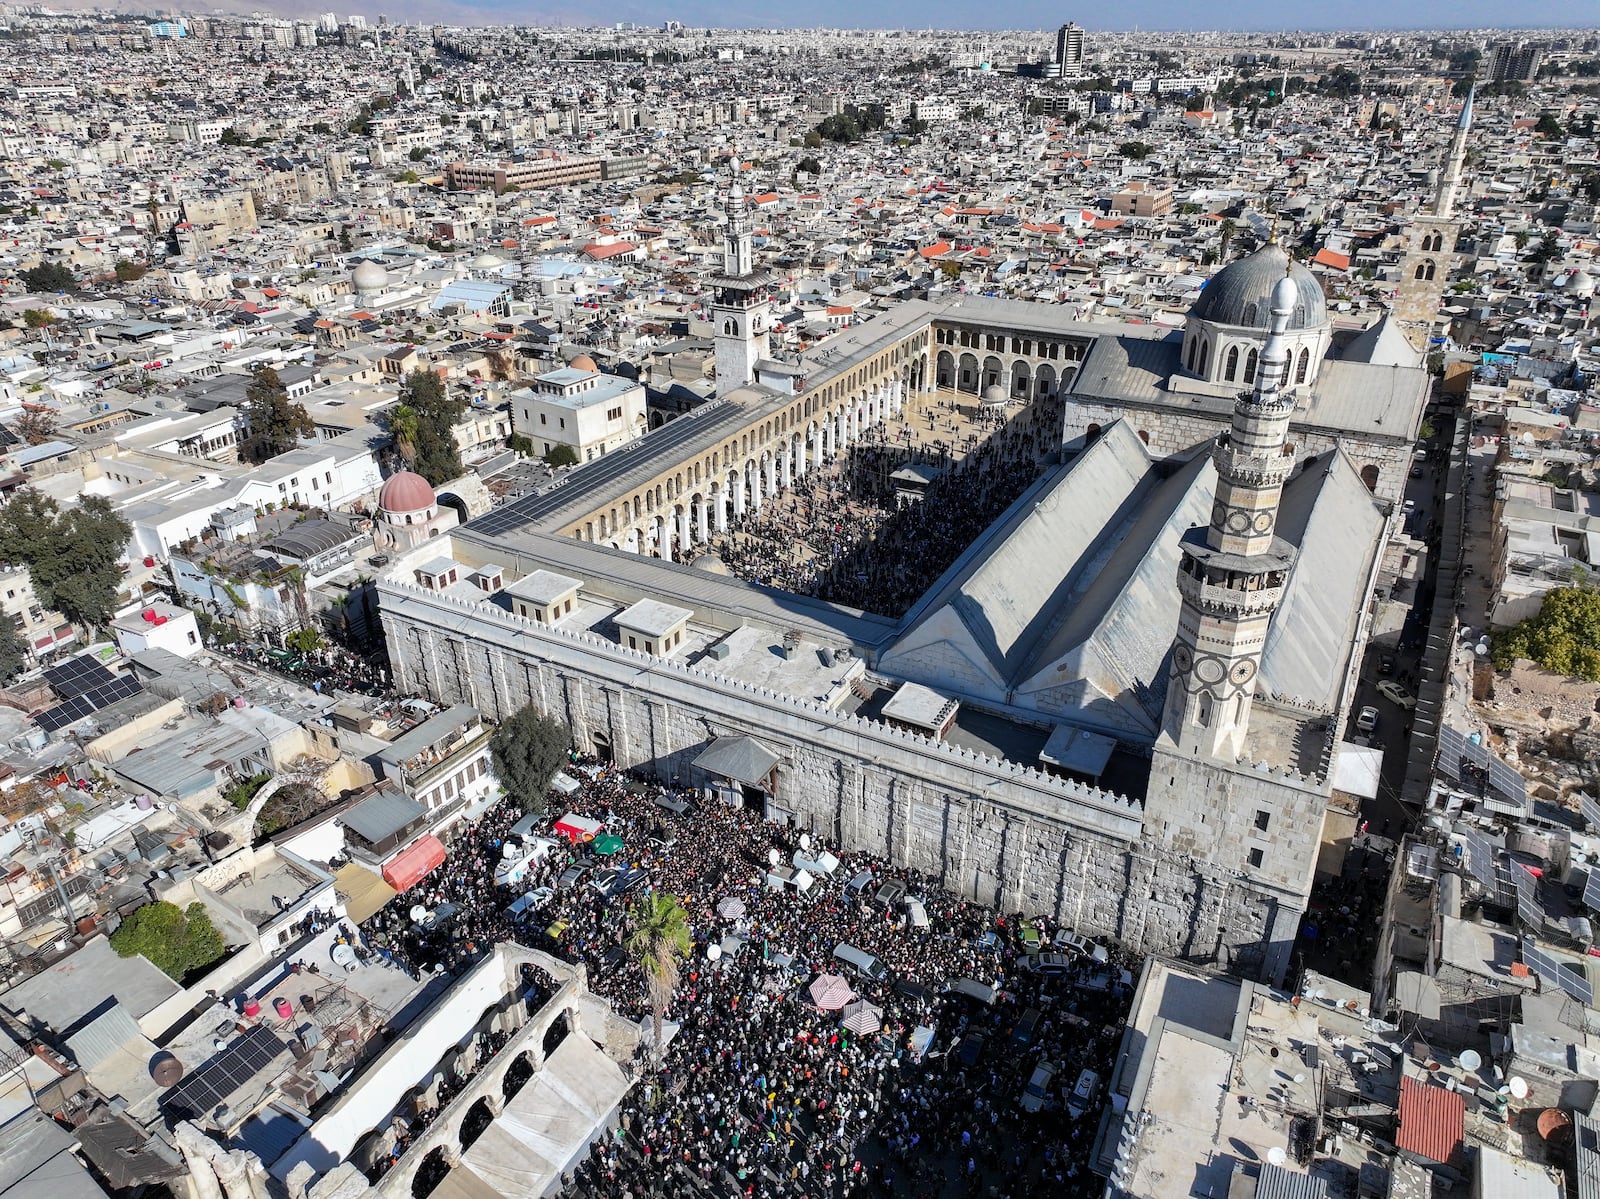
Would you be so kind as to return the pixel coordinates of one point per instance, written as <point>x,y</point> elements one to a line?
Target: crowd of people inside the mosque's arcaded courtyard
<point>850,534</point>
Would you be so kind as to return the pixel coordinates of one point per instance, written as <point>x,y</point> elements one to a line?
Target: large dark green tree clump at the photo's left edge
<point>73,558</point>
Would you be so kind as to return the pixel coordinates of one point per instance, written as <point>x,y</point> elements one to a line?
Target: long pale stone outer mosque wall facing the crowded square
<point>1002,833</point>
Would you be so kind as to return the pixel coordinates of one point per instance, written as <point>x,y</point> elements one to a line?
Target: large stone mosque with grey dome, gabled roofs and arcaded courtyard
<point>1124,705</point>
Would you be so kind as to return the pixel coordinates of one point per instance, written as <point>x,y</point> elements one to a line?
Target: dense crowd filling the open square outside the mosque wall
<point>761,1091</point>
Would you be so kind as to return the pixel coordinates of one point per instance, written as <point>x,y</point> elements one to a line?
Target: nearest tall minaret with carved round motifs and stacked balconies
<point>1234,572</point>
